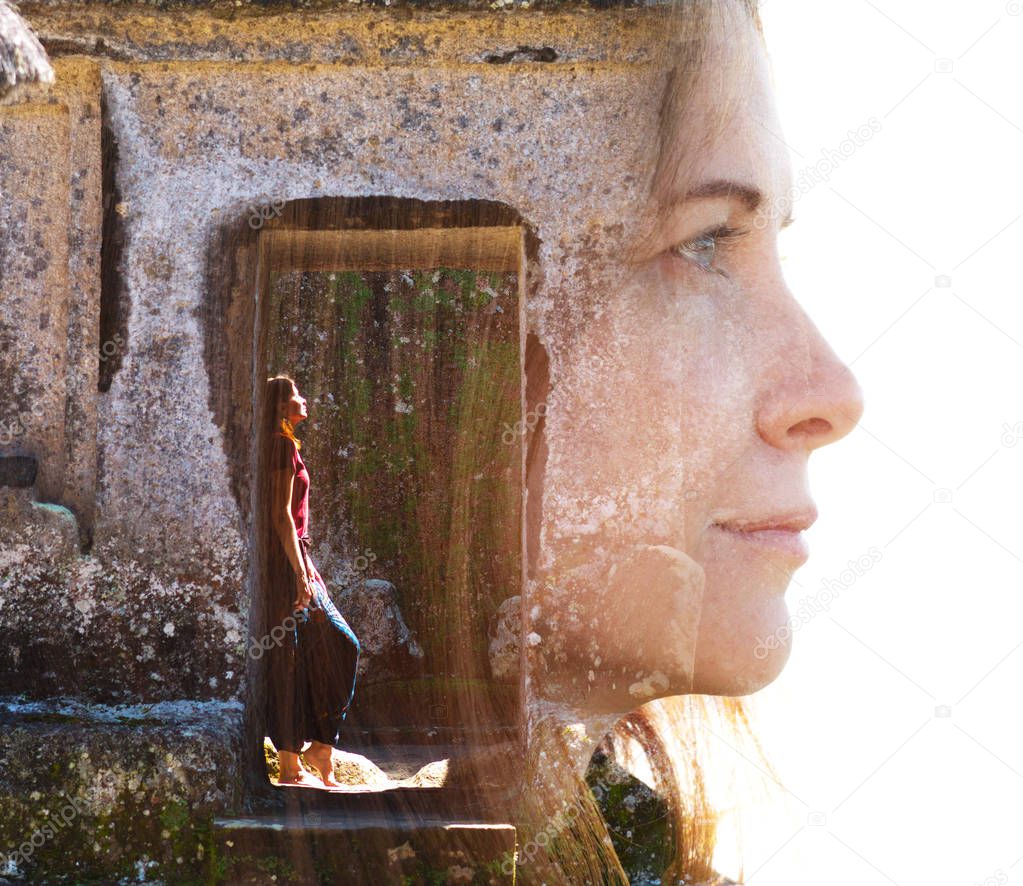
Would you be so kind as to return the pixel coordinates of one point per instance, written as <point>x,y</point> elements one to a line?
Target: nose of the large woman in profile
<point>813,400</point>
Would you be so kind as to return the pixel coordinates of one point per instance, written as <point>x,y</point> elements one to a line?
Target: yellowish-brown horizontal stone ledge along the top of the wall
<point>346,34</point>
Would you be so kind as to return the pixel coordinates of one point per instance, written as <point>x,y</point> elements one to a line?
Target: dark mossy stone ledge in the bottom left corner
<point>93,793</point>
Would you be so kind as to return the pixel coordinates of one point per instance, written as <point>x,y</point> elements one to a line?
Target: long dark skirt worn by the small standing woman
<point>310,673</point>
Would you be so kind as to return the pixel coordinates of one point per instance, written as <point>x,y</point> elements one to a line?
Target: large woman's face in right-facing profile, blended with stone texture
<point>720,390</point>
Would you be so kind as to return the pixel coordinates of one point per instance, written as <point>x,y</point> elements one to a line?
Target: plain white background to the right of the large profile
<point>880,787</point>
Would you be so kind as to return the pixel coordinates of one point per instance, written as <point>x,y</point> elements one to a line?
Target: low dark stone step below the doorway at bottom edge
<point>324,838</point>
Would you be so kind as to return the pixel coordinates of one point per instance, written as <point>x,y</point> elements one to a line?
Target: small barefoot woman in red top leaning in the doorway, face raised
<point>312,672</point>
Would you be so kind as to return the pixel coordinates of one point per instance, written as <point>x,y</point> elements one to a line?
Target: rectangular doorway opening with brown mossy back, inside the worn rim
<point>407,343</point>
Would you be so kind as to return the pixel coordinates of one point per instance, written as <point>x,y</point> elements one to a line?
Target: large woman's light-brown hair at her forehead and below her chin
<point>676,734</point>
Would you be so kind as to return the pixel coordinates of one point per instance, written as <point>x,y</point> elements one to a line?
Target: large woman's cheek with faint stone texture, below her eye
<point>657,401</point>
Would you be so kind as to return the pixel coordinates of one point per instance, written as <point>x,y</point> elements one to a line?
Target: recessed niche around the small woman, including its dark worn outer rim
<point>401,321</point>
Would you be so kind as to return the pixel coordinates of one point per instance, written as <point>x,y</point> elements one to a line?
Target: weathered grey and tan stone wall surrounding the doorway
<point>124,571</point>
